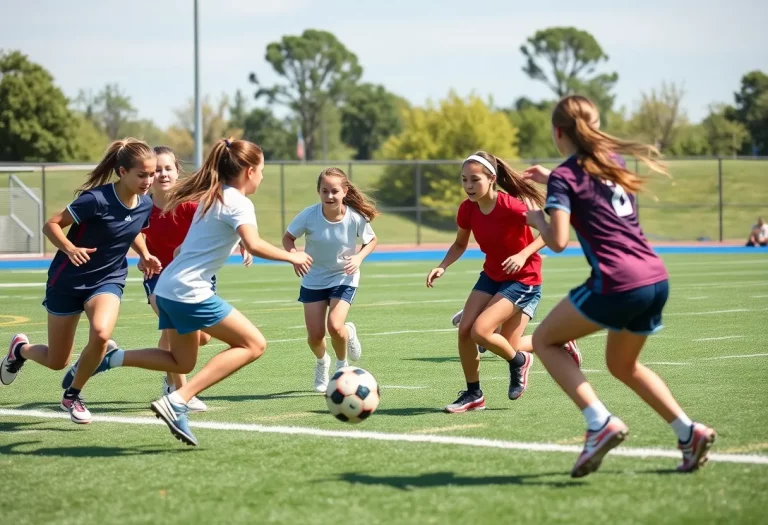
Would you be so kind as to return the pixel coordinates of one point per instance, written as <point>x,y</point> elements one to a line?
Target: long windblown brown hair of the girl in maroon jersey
<point>579,119</point>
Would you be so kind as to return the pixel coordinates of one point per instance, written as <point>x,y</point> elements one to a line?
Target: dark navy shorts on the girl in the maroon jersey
<point>637,311</point>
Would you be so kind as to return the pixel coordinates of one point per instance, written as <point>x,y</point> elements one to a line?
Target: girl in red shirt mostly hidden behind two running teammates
<point>164,235</point>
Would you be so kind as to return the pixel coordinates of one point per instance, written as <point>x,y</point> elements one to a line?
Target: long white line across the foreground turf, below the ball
<point>750,459</point>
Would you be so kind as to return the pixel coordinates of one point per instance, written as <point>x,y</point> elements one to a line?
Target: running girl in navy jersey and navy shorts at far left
<point>89,269</point>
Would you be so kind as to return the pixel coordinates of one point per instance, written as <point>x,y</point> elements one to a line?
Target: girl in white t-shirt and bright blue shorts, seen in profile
<point>186,303</point>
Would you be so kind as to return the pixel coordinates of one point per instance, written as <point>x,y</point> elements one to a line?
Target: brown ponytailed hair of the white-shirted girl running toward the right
<point>226,161</point>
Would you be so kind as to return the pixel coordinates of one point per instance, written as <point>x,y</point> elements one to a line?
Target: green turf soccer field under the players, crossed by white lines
<point>279,467</point>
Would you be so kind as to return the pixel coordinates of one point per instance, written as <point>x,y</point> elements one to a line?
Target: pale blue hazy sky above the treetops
<point>418,49</point>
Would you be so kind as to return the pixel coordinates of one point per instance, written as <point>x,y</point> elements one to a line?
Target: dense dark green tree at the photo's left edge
<point>36,123</point>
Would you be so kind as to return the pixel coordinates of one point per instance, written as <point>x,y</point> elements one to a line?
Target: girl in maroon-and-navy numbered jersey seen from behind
<point>626,293</point>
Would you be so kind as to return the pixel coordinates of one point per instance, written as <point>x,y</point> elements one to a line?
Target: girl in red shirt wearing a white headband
<point>509,288</point>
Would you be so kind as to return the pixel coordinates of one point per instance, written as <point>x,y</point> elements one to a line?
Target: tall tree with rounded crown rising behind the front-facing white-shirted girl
<point>318,70</point>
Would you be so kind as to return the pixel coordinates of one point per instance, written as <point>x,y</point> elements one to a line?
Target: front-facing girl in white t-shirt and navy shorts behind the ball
<point>332,228</point>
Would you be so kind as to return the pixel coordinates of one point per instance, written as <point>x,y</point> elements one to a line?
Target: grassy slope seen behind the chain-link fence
<point>683,208</point>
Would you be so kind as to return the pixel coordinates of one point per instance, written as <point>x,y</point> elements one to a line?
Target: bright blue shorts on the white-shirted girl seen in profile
<point>189,317</point>
